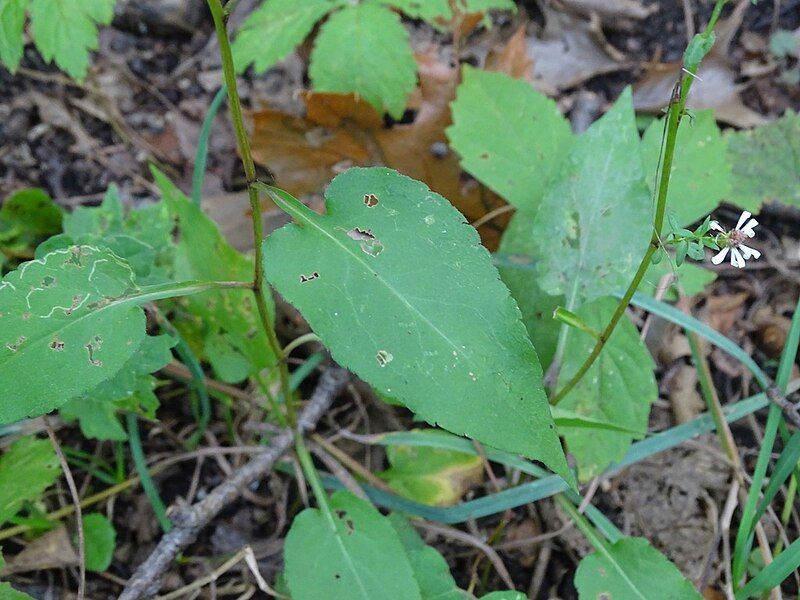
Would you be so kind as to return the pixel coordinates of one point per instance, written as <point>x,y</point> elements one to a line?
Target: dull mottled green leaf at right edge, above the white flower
<point>766,163</point>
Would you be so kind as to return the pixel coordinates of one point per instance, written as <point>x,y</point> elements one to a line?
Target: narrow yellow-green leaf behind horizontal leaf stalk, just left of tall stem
<point>230,314</point>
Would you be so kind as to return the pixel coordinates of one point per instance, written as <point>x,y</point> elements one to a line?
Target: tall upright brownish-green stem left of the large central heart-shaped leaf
<point>243,143</point>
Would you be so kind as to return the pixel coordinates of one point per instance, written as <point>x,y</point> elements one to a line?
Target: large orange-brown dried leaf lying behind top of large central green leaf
<point>340,131</point>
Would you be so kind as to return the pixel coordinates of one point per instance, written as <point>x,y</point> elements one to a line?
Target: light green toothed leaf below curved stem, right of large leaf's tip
<point>618,389</point>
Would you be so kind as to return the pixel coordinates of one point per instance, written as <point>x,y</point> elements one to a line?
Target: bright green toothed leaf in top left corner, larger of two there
<point>65,31</point>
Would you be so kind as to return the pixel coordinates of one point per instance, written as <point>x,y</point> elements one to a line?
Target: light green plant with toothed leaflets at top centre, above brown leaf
<point>362,48</point>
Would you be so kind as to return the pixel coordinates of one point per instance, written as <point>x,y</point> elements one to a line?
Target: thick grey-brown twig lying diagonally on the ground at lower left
<point>188,521</point>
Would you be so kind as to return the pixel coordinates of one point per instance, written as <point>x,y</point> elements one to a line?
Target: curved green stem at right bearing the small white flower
<point>677,107</point>
